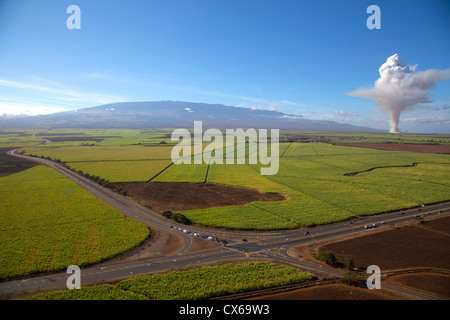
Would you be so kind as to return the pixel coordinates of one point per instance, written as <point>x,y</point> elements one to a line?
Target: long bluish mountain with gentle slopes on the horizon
<point>175,114</point>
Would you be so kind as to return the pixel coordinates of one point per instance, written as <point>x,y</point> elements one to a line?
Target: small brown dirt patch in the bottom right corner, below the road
<point>434,283</point>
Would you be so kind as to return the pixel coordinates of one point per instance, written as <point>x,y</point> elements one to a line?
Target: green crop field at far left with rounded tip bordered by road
<point>49,223</point>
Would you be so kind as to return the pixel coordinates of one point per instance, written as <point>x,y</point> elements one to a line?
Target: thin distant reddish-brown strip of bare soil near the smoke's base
<point>427,148</point>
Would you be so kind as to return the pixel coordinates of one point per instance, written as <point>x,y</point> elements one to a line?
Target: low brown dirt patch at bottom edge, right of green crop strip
<point>329,292</point>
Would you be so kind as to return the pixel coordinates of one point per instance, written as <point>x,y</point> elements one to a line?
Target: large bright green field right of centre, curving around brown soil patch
<point>320,193</point>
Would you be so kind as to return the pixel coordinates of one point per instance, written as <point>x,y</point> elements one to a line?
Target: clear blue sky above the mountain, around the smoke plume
<point>298,57</point>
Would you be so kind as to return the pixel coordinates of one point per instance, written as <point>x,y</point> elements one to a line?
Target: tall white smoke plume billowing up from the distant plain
<point>401,87</point>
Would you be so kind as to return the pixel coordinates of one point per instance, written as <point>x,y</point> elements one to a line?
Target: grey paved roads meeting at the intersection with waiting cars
<point>266,245</point>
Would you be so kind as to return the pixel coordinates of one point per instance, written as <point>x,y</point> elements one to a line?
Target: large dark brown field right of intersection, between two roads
<point>421,246</point>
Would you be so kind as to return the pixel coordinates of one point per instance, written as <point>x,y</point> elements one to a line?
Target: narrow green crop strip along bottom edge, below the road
<point>196,284</point>
